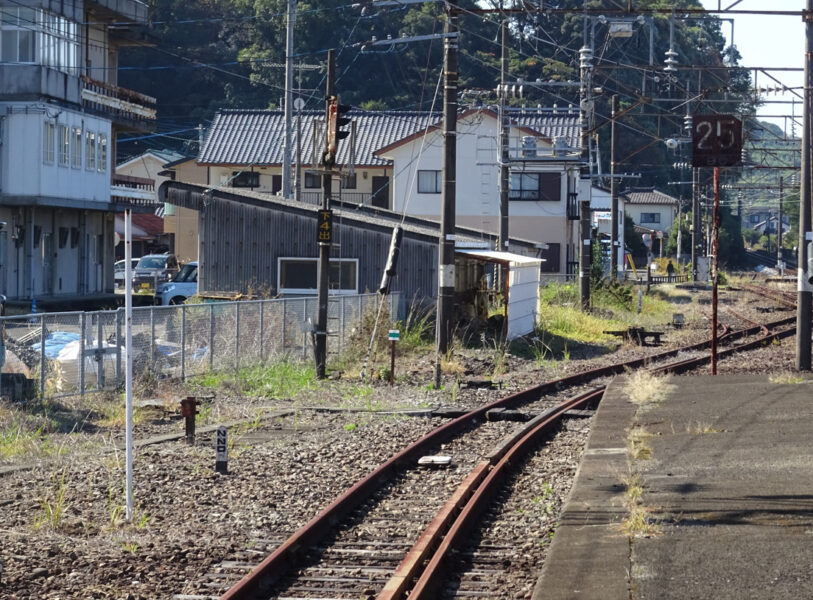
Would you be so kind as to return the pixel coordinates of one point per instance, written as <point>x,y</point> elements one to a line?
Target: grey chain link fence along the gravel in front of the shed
<point>66,354</point>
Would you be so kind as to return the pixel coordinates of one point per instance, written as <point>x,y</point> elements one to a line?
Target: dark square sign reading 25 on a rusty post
<point>716,141</point>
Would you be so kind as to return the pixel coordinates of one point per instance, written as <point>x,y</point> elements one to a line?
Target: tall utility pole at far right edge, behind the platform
<point>805,229</point>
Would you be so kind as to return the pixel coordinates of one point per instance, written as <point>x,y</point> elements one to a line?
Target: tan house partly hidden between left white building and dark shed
<point>179,232</point>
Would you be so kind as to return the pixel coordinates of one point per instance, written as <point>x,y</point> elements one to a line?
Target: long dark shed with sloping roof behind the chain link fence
<point>245,237</point>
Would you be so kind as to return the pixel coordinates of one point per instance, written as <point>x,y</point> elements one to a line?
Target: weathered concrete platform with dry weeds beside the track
<point>729,485</point>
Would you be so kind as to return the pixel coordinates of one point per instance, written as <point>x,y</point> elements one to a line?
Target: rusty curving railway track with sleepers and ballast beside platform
<point>404,528</point>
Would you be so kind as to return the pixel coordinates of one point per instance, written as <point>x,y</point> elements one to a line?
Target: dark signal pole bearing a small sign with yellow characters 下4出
<point>323,268</point>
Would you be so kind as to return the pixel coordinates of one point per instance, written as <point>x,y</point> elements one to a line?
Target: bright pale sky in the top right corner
<point>769,41</point>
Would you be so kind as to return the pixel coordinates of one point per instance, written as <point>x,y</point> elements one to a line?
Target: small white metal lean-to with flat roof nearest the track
<point>522,283</point>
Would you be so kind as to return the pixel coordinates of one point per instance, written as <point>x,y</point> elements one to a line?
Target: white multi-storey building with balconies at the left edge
<point>62,111</point>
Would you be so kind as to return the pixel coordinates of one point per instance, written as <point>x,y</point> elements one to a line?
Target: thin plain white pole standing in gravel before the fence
<point>128,354</point>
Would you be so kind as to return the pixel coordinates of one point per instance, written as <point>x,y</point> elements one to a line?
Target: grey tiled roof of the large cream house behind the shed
<point>256,137</point>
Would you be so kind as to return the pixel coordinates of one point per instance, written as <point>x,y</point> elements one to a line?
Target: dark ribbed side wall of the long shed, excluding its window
<point>240,244</point>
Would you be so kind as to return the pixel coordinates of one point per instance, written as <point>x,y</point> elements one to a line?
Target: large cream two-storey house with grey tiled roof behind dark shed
<point>395,165</point>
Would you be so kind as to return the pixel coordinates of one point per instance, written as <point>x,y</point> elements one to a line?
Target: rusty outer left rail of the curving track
<point>279,562</point>
